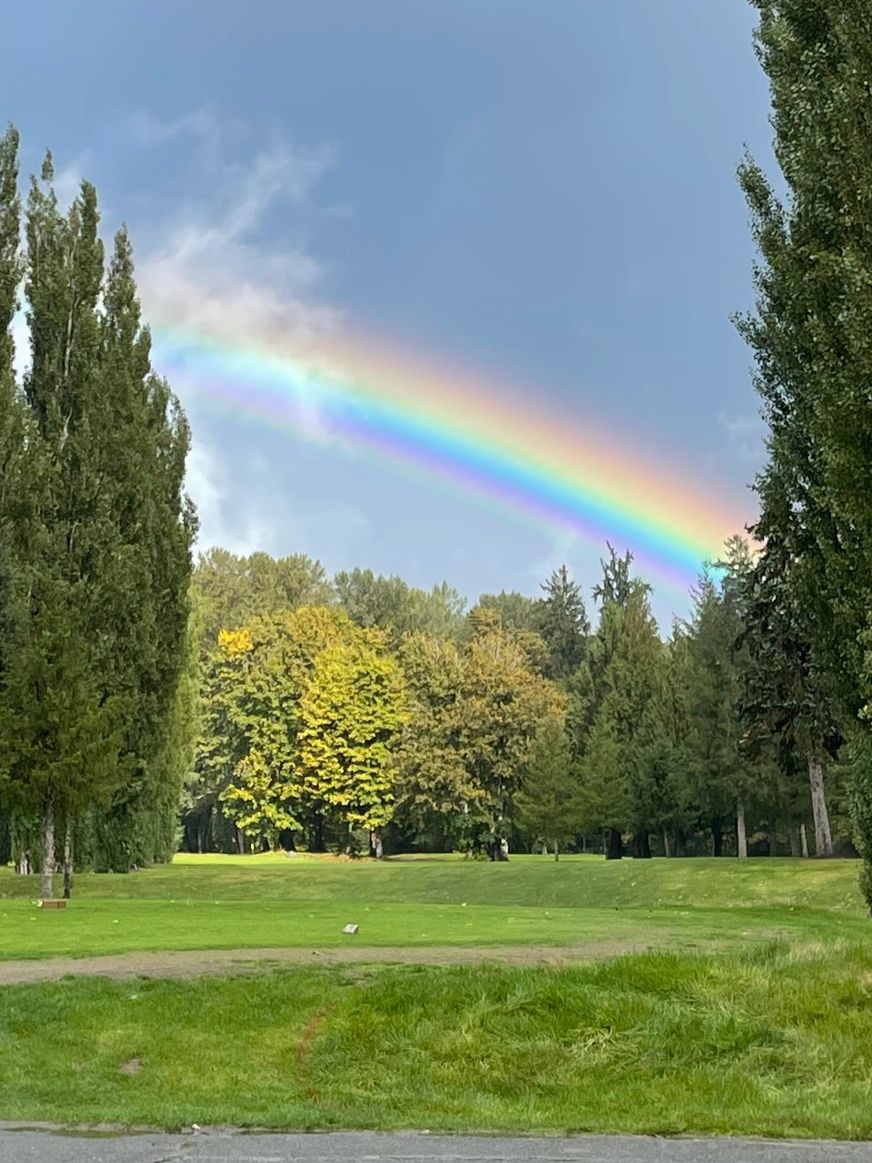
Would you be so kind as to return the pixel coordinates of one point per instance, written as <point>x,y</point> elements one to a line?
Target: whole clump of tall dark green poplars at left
<point>96,539</point>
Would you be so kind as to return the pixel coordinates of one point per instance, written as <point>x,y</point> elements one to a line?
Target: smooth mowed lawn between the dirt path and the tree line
<point>226,903</point>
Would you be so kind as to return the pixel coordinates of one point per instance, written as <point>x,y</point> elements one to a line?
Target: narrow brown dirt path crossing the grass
<point>199,962</point>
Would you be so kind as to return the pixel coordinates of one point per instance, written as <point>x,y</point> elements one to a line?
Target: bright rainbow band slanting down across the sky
<point>487,440</point>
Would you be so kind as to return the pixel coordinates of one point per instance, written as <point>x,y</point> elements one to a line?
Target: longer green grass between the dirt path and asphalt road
<point>774,1043</point>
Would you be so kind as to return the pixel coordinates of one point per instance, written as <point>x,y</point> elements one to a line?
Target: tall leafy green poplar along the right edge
<point>811,332</point>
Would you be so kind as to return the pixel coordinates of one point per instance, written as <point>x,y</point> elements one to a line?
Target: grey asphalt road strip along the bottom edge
<point>47,1147</point>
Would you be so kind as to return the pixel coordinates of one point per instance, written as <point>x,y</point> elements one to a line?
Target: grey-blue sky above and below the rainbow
<point>544,191</point>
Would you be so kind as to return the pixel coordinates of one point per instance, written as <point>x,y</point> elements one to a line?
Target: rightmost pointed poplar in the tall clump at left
<point>147,595</point>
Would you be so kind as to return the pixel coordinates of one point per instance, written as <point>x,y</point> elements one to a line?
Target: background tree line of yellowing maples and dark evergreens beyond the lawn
<point>366,712</point>
